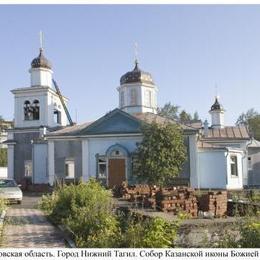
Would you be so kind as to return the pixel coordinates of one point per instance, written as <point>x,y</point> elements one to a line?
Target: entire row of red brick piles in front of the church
<point>176,199</point>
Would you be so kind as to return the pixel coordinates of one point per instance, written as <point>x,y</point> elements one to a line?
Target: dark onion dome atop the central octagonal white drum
<point>136,76</point>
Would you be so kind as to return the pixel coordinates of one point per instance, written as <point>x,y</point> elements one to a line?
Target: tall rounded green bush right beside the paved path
<point>86,209</point>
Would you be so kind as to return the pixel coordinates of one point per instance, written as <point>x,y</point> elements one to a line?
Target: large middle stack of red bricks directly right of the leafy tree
<point>177,199</point>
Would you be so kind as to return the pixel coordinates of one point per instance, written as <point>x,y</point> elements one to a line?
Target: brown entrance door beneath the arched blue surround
<point>116,172</point>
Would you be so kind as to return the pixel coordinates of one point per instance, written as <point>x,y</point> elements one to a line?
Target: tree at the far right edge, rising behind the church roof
<point>251,119</point>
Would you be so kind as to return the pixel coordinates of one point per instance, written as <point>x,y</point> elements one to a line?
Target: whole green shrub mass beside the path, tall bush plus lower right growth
<point>86,209</point>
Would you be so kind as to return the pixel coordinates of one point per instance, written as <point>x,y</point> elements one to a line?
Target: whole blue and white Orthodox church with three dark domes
<point>43,148</point>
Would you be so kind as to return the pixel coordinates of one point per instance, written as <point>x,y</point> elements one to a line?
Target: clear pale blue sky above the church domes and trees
<point>188,49</point>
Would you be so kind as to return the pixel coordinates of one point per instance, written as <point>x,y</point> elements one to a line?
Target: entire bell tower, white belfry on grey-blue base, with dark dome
<point>37,110</point>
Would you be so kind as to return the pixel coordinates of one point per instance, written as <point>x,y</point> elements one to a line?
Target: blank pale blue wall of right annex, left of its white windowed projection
<point>212,169</point>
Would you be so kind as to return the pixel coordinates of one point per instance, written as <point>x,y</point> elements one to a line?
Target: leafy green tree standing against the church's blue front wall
<point>161,154</point>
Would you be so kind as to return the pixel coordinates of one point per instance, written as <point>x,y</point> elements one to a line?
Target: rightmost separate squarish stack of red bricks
<point>214,202</point>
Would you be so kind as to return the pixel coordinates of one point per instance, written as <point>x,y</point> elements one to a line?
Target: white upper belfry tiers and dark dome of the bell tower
<point>39,104</point>
